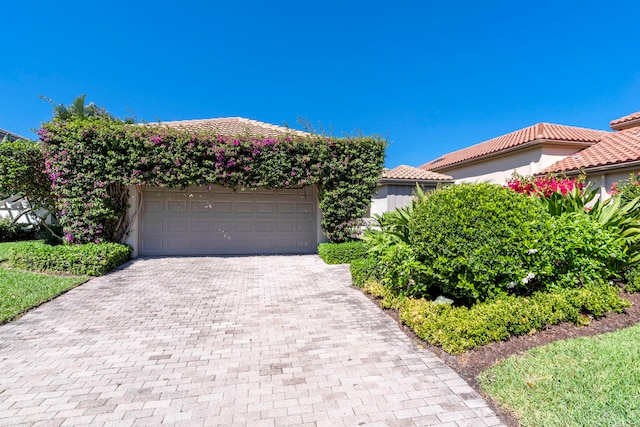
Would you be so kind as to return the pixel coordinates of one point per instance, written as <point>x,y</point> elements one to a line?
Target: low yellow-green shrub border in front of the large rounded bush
<point>457,329</point>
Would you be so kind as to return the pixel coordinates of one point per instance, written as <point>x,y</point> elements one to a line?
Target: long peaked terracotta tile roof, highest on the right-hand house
<point>537,132</point>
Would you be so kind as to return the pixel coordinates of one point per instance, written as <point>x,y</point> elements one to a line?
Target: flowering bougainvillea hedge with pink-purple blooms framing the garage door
<point>91,162</point>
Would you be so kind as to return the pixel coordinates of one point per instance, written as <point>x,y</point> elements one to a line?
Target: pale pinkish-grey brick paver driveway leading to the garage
<point>256,341</point>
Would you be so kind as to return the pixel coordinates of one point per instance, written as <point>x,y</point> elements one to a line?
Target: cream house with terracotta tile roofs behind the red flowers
<point>605,156</point>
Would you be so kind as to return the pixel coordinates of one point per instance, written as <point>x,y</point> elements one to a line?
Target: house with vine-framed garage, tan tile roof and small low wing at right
<point>220,220</point>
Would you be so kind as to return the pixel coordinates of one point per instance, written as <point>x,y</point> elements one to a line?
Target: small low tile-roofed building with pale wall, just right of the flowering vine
<point>398,185</point>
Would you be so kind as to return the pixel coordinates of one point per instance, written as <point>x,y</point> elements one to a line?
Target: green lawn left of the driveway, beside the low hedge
<point>23,290</point>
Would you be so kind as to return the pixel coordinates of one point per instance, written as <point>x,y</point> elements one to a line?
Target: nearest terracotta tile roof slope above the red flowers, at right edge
<point>615,148</point>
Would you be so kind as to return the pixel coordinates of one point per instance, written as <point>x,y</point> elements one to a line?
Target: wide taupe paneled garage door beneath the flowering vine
<point>198,221</point>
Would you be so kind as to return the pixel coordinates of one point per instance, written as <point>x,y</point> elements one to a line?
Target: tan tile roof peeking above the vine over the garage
<point>231,126</point>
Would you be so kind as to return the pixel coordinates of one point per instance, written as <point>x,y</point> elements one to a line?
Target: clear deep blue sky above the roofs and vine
<point>431,76</point>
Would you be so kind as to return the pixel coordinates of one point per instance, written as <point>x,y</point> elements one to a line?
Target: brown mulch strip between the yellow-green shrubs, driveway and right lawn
<point>471,363</point>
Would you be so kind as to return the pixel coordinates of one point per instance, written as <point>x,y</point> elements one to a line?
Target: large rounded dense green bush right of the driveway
<point>479,241</point>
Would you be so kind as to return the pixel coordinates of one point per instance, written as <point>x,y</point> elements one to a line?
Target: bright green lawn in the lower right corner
<point>579,382</point>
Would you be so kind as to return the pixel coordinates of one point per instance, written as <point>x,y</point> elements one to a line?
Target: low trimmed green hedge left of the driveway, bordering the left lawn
<point>92,259</point>
